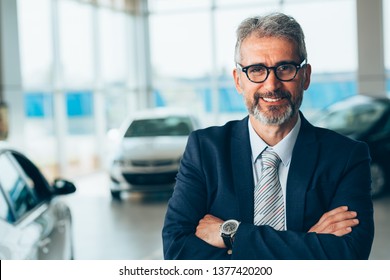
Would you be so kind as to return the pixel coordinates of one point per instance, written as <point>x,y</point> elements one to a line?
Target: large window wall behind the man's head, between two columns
<point>192,51</point>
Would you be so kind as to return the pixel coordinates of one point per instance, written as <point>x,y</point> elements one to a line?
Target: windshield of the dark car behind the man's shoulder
<point>354,119</point>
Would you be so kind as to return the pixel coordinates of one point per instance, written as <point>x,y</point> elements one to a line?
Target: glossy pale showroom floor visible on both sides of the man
<point>109,230</point>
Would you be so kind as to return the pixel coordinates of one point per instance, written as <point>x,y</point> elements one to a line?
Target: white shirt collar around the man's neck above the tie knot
<point>284,148</point>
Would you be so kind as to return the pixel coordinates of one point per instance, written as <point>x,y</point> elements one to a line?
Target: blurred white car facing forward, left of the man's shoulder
<point>150,151</point>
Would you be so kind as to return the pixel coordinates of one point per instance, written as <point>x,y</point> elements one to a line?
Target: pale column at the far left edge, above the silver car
<point>10,76</point>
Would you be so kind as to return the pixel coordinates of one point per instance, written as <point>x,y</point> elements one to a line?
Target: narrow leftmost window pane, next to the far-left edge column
<point>37,60</point>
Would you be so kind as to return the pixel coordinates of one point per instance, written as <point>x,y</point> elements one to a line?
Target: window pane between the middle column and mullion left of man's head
<point>181,58</point>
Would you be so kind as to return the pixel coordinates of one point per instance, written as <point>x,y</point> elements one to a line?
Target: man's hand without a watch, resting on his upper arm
<point>338,221</point>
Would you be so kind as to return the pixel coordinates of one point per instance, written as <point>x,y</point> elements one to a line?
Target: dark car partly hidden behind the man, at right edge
<point>367,119</point>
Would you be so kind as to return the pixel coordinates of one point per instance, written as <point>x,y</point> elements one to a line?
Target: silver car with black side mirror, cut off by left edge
<point>34,223</point>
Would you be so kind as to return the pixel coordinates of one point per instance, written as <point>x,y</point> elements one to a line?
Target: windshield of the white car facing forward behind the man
<point>169,126</point>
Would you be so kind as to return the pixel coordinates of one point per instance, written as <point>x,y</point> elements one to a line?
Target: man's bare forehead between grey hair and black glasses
<point>255,49</point>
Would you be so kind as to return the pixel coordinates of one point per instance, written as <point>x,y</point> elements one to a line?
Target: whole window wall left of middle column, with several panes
<point>77,61</point>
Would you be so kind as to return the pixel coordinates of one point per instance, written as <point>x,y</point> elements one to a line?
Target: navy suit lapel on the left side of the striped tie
<point>242,170</point>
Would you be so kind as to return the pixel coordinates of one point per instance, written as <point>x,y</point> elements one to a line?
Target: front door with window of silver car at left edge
<point>20,235</point>
